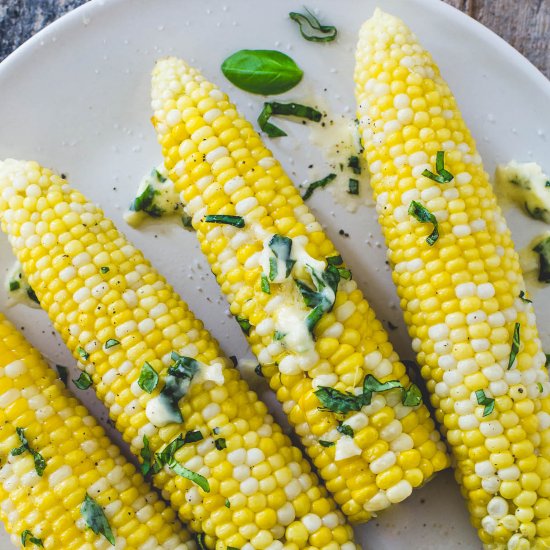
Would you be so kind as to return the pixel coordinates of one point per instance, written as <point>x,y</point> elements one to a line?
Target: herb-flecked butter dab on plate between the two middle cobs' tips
<point>165,199</point>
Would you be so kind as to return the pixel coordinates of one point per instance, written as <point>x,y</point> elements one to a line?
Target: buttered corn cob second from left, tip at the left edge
<point>120,318</point>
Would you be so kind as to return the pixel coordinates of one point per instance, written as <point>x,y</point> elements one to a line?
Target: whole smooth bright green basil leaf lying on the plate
<point>264,72</point>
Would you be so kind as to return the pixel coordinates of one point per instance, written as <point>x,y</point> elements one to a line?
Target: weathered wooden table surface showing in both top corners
<point>523,23</point>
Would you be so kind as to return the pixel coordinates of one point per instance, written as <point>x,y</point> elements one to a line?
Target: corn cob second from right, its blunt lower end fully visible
<point>222,168</point>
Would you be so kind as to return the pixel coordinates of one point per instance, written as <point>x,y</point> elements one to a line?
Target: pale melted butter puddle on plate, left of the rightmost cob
<point>339,140</point>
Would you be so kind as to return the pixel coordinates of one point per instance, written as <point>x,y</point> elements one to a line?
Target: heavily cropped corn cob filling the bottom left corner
<point>79,460</point>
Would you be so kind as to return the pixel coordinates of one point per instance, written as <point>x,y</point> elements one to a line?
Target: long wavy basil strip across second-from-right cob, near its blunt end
<point>339,402</point>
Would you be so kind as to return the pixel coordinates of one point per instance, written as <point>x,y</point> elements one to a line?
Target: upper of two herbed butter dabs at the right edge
<point>526,185</point>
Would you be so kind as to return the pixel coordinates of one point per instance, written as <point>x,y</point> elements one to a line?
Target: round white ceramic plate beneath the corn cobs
<point>76,98</point>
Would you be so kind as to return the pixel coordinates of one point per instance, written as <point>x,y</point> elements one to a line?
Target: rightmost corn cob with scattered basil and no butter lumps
<point>462,295</point>
